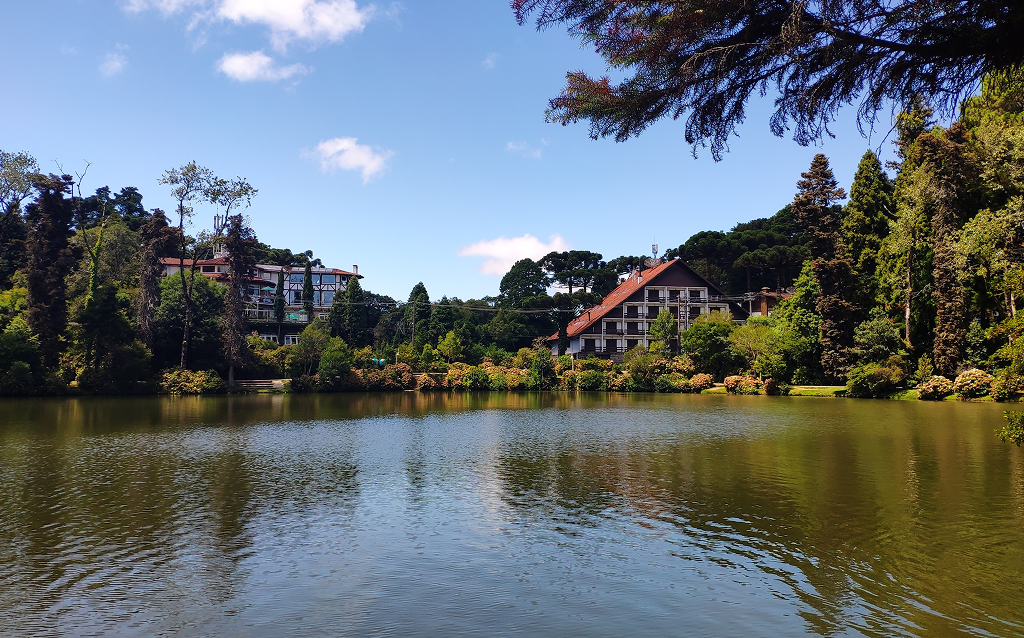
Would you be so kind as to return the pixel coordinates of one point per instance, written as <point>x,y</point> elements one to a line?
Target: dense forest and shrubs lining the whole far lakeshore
<point>912,279</point>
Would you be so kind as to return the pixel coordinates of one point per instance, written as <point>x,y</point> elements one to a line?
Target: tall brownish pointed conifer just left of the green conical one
<point>816,207</point>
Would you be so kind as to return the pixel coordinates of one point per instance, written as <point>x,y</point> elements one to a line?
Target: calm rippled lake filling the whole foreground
<point>532,516</point>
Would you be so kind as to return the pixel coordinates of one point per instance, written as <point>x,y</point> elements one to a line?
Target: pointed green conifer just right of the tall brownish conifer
<point>866,224</point>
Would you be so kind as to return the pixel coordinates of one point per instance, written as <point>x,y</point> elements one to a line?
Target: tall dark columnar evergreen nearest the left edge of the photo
<point>51,259</point>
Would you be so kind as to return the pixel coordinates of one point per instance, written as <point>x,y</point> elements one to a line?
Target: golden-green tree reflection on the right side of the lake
<point>885,533</point>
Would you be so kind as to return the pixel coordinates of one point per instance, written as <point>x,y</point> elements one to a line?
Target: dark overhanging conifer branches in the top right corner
<point>703,60</point>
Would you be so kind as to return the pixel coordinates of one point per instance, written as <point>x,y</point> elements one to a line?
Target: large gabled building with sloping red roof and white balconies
<point>624,318</point>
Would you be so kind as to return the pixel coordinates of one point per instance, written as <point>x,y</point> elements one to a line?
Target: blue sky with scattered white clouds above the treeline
<point>408,139</point>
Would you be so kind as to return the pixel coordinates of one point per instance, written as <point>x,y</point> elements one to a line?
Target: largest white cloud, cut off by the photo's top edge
<point>313,21</point>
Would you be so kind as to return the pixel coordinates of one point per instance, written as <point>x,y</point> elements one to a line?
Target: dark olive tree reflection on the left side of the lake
<point>152,519</point>
